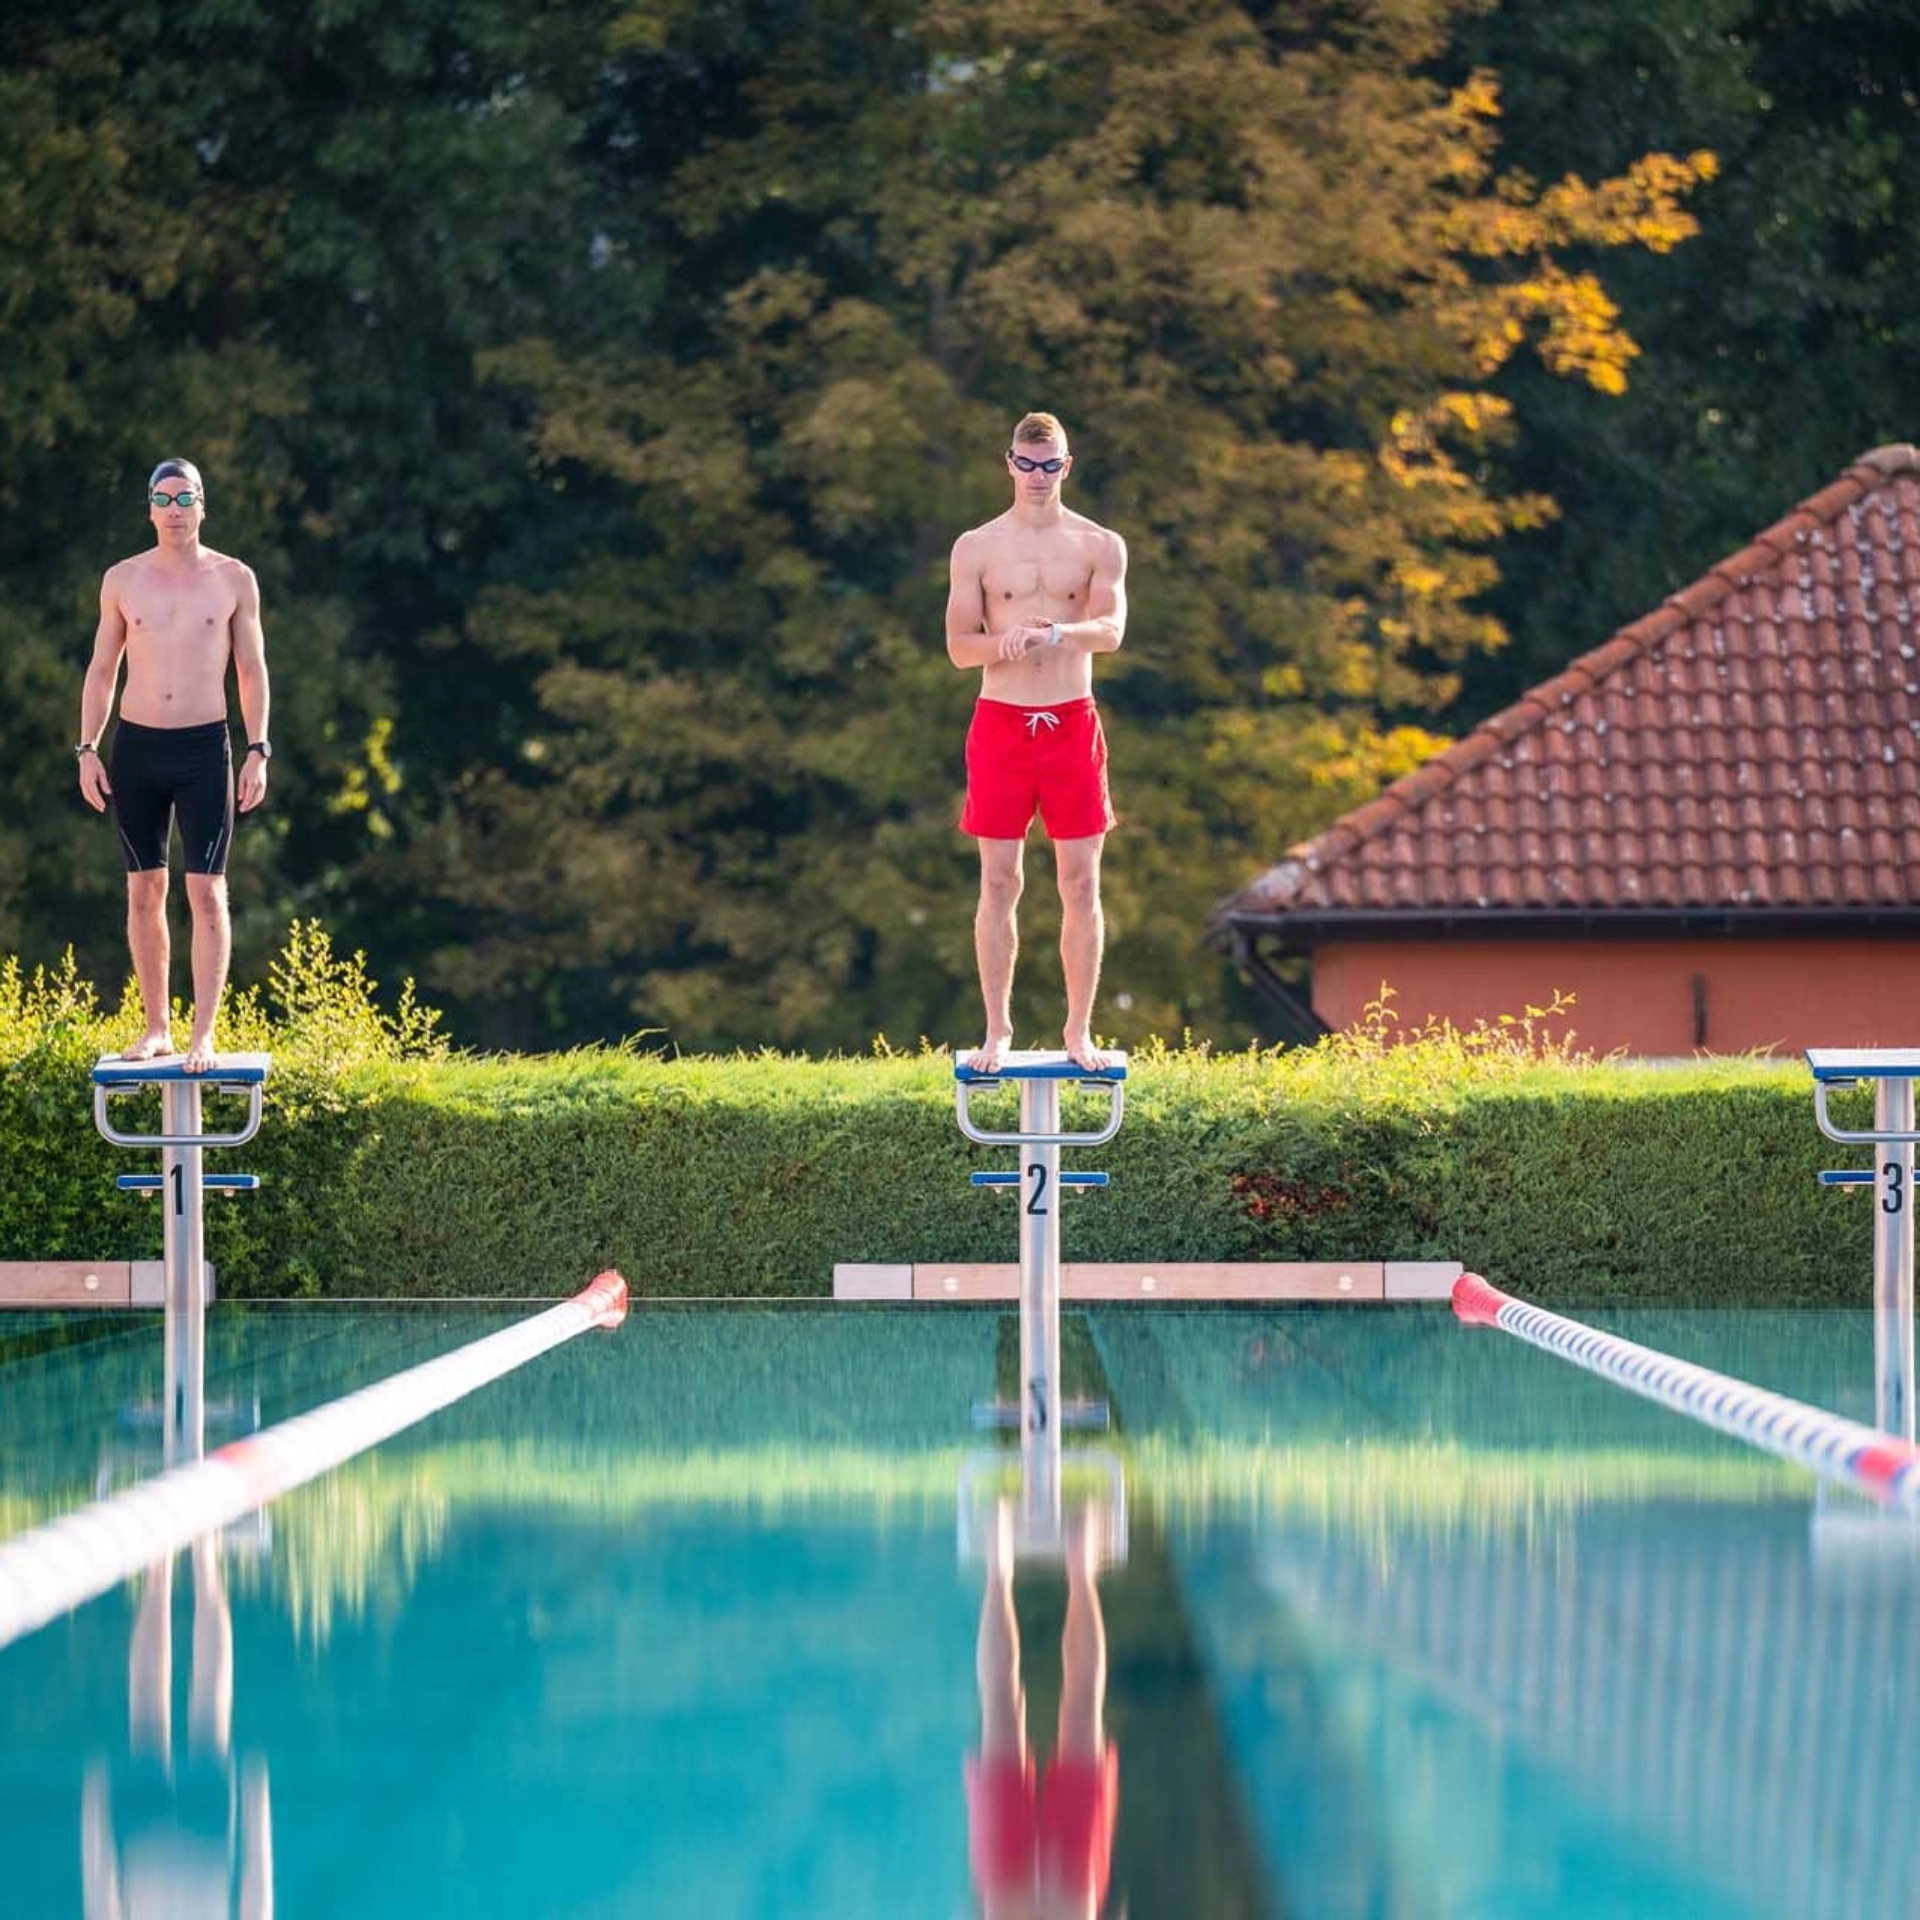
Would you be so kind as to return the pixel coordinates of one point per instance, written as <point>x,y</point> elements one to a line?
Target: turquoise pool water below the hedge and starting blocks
<point>675,1621</point>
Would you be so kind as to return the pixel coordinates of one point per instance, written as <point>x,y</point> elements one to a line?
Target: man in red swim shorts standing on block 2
<point>1034,596</point>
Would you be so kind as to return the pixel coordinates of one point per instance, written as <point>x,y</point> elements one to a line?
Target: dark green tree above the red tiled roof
<point>1781,350</point>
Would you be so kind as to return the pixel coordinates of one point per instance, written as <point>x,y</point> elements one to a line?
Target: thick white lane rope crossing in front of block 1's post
<point>53,1570</point>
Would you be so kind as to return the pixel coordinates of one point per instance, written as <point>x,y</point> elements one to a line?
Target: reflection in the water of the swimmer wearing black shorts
<point>162,1835</point>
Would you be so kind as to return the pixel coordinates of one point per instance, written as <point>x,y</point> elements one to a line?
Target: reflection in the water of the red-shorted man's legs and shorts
<point>1042,1844</point>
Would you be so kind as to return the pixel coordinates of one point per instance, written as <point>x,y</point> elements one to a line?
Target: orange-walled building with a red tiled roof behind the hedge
<point>1706,830</point>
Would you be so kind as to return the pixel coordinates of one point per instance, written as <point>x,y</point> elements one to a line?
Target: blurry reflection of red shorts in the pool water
<point>1055,1831</point>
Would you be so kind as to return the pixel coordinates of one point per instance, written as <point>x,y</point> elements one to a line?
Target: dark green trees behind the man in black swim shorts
<point>276,239</point>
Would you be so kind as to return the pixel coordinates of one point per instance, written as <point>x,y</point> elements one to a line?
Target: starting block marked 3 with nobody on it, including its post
<point>1892,1074</point>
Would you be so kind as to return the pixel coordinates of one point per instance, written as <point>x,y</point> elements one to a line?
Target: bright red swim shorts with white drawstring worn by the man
<point>1020,759</point>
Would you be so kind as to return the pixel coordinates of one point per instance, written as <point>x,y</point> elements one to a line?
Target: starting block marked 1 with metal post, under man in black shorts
<point>183,1186</point>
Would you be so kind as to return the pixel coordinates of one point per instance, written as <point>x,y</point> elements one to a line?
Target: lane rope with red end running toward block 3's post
<point>1823,1443</point>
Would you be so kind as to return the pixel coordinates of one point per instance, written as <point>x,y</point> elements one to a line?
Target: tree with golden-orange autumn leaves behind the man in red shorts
<point>1268,272</point>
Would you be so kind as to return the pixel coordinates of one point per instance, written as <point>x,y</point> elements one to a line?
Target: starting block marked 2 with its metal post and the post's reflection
<point>1040,1184</point>
